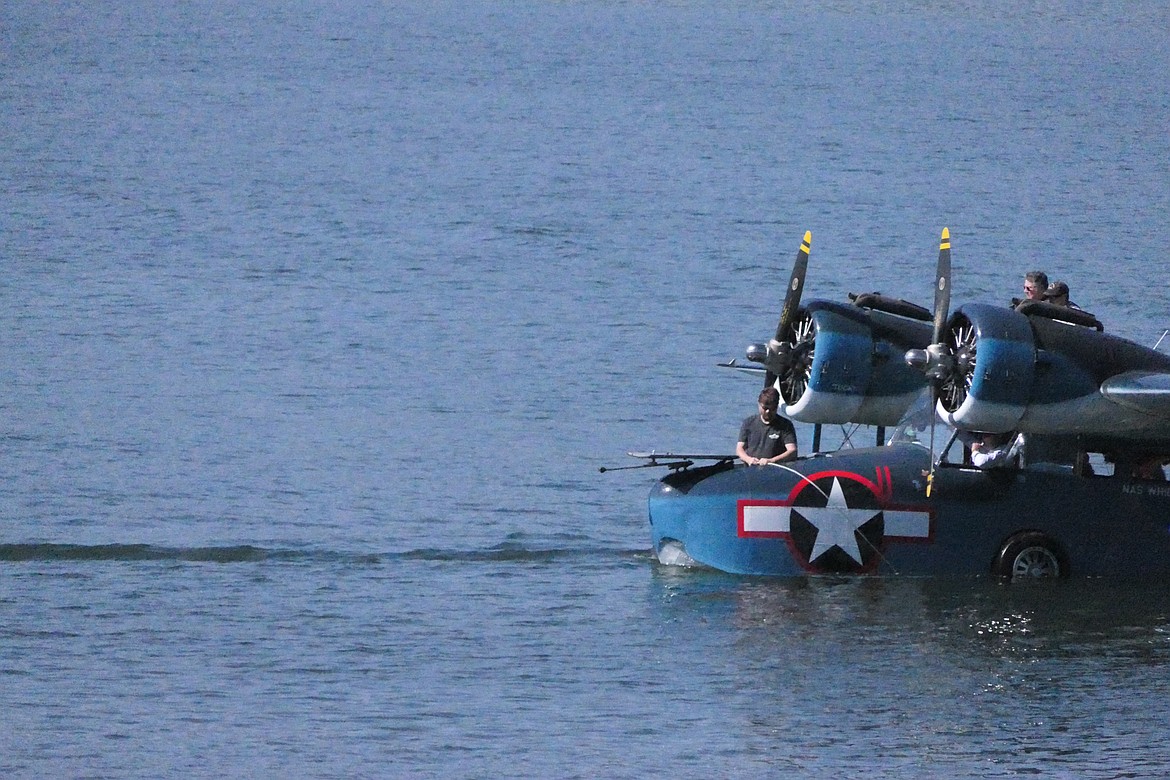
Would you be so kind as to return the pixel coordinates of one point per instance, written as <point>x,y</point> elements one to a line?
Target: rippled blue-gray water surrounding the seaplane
<point>319,320</point>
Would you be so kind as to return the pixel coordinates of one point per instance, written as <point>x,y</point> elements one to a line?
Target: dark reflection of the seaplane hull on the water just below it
<point>981,617</point>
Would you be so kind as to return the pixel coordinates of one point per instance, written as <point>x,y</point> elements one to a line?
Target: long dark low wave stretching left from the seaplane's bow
<point>507,553</point>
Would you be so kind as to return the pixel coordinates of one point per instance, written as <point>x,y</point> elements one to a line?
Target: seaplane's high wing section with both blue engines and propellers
<point>1035,369</point>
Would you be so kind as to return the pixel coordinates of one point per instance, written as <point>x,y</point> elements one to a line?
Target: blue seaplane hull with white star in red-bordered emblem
<point>866,513</point>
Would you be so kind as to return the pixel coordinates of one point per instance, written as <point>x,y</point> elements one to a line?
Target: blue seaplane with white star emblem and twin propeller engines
<point>1083,494</point>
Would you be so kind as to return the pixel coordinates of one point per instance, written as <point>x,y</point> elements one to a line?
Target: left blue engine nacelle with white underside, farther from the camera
<point>849,367</point>
